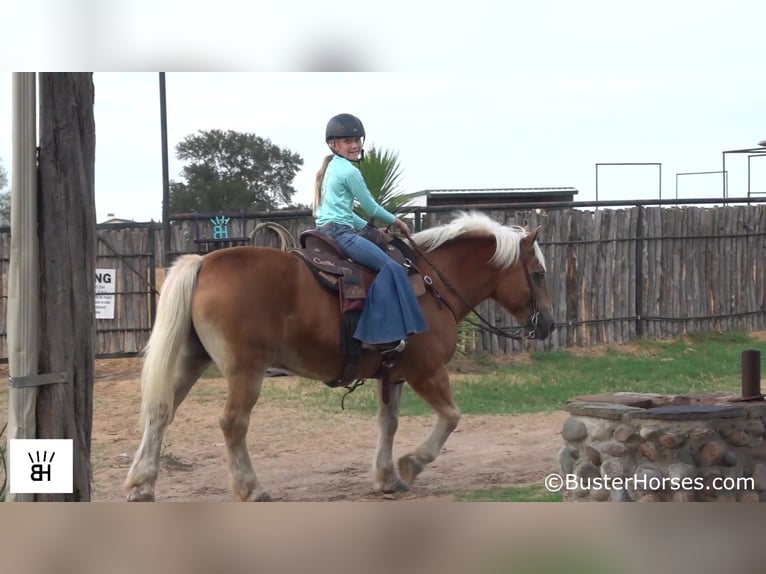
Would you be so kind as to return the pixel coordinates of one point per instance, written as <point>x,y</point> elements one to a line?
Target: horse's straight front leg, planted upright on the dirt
<point>386,478</point>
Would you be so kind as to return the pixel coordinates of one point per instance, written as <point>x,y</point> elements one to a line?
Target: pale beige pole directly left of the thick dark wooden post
<point>23,276</point>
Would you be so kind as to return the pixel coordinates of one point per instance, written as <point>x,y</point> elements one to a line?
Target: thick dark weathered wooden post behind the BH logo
<point>67,221</point>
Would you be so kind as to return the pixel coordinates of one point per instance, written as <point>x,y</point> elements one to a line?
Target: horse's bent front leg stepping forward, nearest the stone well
<point>436,392</point>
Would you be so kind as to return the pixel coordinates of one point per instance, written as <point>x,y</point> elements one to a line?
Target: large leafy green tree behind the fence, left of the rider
<point>233,171</point>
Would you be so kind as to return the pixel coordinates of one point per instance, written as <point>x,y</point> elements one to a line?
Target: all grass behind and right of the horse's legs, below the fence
<point>709,362</point>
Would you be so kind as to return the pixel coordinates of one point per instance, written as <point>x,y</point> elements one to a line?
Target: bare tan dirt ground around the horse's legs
<point>302,456</point>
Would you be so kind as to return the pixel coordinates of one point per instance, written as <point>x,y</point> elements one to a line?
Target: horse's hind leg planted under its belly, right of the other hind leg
<point>244,390</point>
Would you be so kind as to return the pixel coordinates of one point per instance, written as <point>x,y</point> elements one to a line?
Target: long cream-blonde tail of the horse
<point>171,330</point>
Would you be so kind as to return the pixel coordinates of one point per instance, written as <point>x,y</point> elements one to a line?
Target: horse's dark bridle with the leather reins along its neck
<point>528,331</point>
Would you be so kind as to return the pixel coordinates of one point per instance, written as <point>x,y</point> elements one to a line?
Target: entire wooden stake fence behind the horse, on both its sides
<point>615,275</point>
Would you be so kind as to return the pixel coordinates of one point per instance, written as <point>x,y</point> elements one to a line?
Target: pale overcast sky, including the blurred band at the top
<point>514,96</point>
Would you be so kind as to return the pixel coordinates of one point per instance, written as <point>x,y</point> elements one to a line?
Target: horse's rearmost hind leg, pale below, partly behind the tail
<point>142,475</point>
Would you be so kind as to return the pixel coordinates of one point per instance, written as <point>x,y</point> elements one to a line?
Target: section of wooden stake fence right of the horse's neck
<point>617,275</point>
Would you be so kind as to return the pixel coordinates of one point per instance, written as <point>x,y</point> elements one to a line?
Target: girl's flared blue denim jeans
<point>391,311</point>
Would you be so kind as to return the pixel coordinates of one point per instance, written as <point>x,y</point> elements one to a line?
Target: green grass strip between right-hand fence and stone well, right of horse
<point>699,364</point>
